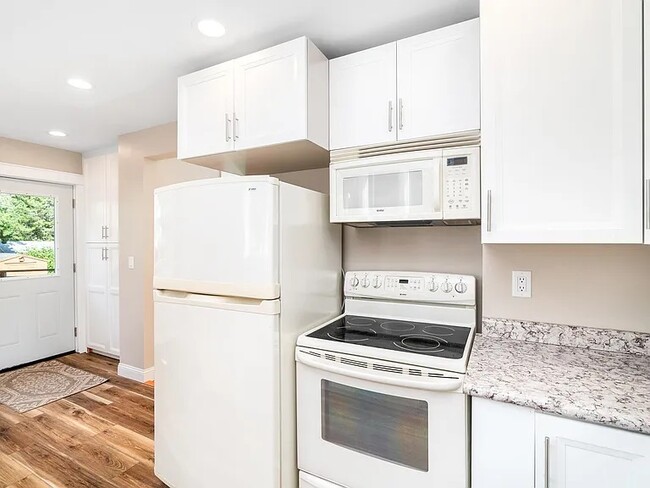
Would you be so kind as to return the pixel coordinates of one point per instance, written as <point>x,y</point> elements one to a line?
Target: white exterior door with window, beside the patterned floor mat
<point>37,307</point>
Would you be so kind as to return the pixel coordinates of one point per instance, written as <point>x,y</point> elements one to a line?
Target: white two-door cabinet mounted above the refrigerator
<point>262,113</point>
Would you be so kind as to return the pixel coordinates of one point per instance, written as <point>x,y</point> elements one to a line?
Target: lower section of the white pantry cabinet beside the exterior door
<point>102,298</point>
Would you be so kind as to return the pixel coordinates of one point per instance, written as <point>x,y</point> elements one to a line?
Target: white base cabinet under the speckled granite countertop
<point>518,447</point>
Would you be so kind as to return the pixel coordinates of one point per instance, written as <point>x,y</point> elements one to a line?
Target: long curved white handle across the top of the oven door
<point>421,383</point>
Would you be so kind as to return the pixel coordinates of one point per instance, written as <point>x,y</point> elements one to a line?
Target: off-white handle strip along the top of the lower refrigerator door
<point>250,305</point>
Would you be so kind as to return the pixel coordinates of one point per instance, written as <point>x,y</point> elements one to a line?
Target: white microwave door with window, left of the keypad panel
<point>395,187</point>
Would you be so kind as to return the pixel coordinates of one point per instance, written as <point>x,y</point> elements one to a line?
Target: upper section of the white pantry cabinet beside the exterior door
<point>101,192</point>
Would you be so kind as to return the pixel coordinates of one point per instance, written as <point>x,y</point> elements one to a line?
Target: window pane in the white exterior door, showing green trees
<point>27,235</point>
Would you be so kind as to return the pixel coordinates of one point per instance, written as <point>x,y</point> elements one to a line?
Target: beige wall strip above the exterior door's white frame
<point>28,154</point>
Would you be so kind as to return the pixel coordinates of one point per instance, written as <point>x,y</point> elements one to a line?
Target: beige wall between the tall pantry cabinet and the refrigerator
<point>143,164</point>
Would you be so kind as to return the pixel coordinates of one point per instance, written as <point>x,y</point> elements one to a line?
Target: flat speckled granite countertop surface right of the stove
<point>604,387</point>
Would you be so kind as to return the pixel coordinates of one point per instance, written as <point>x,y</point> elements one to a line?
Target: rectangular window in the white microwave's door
<point>401,189</point>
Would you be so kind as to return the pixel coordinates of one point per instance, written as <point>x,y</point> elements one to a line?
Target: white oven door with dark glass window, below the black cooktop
<point>361,433</point>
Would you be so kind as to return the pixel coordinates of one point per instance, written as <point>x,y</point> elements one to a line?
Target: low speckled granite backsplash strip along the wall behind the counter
<point>568,335</point>
